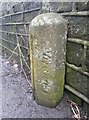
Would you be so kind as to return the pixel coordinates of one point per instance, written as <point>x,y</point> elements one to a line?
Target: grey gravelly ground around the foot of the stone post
<point>17,100</point>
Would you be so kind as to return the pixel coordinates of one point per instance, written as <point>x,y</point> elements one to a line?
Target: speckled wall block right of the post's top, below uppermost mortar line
<point>78,27</point>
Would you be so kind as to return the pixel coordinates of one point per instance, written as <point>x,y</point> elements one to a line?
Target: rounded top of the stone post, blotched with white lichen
<point>48,19</point>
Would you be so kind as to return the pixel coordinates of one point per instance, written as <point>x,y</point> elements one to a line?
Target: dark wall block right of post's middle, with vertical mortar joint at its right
<point>75,54</point>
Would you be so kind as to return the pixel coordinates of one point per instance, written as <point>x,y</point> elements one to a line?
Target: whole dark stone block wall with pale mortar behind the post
<point>16,19</point>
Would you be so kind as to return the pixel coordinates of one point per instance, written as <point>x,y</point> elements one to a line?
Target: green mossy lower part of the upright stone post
<point>52,96</point>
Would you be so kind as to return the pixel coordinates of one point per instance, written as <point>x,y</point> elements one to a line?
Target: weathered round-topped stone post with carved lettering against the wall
<point>47,52</point>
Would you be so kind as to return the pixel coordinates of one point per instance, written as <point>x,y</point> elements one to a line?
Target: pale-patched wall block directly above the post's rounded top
<point>56,6</point>
